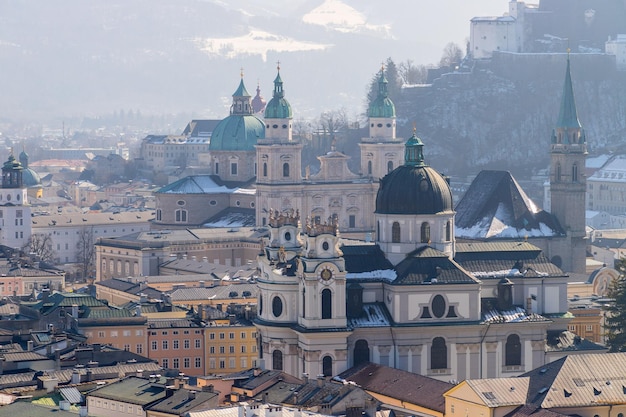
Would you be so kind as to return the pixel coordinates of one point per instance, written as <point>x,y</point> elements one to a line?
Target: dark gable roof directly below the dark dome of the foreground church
<point>427,265</point>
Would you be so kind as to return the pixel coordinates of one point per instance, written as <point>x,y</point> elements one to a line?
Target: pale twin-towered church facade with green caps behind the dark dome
<point>334,191</point>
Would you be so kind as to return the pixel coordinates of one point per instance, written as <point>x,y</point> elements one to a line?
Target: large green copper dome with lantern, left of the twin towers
<point>241,130</point>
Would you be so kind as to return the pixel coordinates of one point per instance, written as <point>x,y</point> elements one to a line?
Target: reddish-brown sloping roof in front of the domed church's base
<point>405,386</point>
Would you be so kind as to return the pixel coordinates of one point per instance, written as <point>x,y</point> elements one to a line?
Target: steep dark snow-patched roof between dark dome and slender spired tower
<point>495,199</point>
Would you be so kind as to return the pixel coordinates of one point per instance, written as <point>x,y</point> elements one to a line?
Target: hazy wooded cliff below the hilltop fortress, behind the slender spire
<point>500,114</point>
